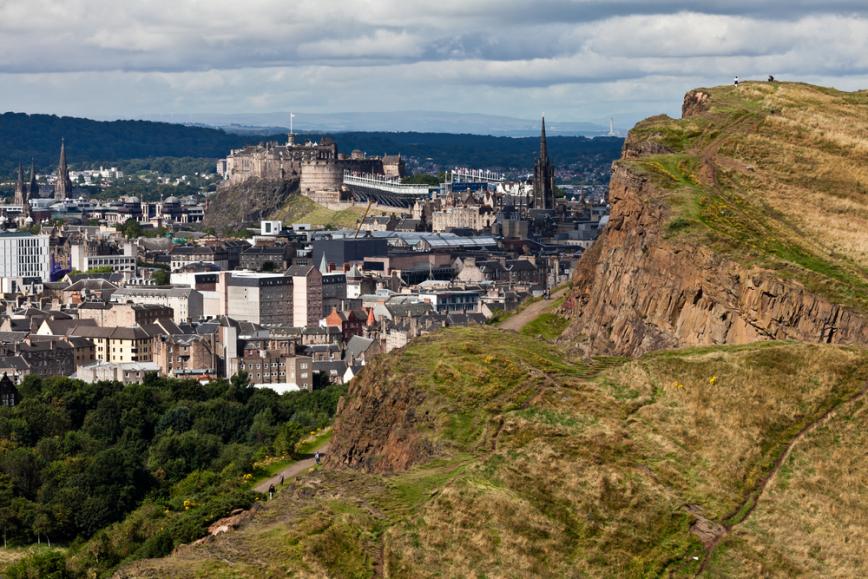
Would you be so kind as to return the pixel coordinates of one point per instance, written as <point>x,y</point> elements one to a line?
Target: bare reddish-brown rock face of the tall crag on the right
<point>640,289</point>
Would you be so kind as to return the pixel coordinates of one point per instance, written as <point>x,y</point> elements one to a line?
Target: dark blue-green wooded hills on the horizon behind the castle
<point>91,143</point>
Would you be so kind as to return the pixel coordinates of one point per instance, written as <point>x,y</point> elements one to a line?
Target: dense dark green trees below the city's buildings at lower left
<point>118,473</point>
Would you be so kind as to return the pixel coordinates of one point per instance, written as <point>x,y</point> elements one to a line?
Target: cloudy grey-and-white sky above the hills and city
<point>577,60</point>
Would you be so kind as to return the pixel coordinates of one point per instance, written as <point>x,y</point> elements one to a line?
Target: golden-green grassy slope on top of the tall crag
<point>774,175</point>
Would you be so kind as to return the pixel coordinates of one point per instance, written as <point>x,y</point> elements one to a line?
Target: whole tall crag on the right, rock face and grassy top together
<point>718,235</point>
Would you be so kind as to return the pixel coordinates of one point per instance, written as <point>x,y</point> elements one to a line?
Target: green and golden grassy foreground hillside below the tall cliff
<point>550,468</point>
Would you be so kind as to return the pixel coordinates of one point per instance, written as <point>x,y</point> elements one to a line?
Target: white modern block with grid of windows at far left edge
<point>23,256</point>
